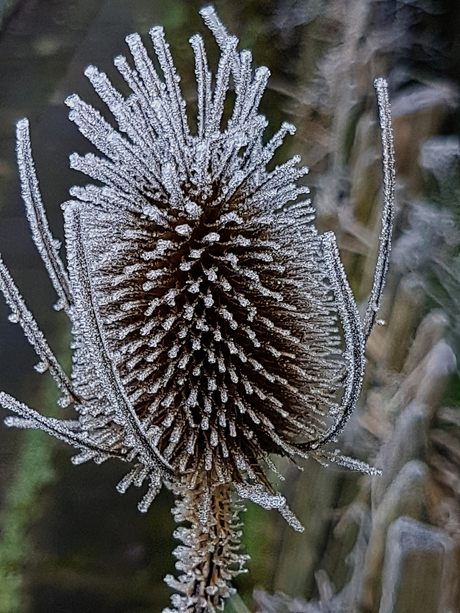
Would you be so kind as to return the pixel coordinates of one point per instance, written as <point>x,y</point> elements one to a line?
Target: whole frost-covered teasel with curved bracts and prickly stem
<point>203,302</point>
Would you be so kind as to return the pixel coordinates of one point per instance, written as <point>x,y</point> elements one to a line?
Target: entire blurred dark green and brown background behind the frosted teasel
<point>68,541</point>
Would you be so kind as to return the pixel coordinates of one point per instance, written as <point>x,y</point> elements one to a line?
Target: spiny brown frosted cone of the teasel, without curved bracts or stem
<point>213,297</point>
